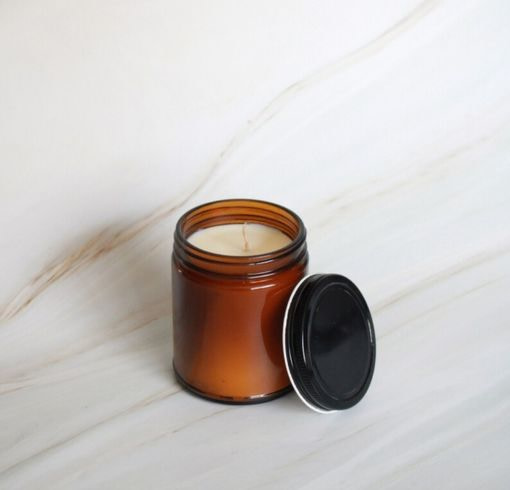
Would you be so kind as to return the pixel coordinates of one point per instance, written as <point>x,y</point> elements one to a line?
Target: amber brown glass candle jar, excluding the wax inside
<point>228,310</point>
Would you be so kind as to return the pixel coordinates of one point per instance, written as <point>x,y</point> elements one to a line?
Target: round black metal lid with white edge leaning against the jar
<point>328,342</point>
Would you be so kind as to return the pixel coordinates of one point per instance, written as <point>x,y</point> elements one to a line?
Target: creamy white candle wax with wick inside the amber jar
<point>230,239</point>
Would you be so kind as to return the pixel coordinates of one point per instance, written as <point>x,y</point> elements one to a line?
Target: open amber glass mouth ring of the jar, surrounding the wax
<point>233,211</point>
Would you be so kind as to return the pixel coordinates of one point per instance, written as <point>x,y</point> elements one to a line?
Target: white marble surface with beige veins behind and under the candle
<point>385,125</point>
